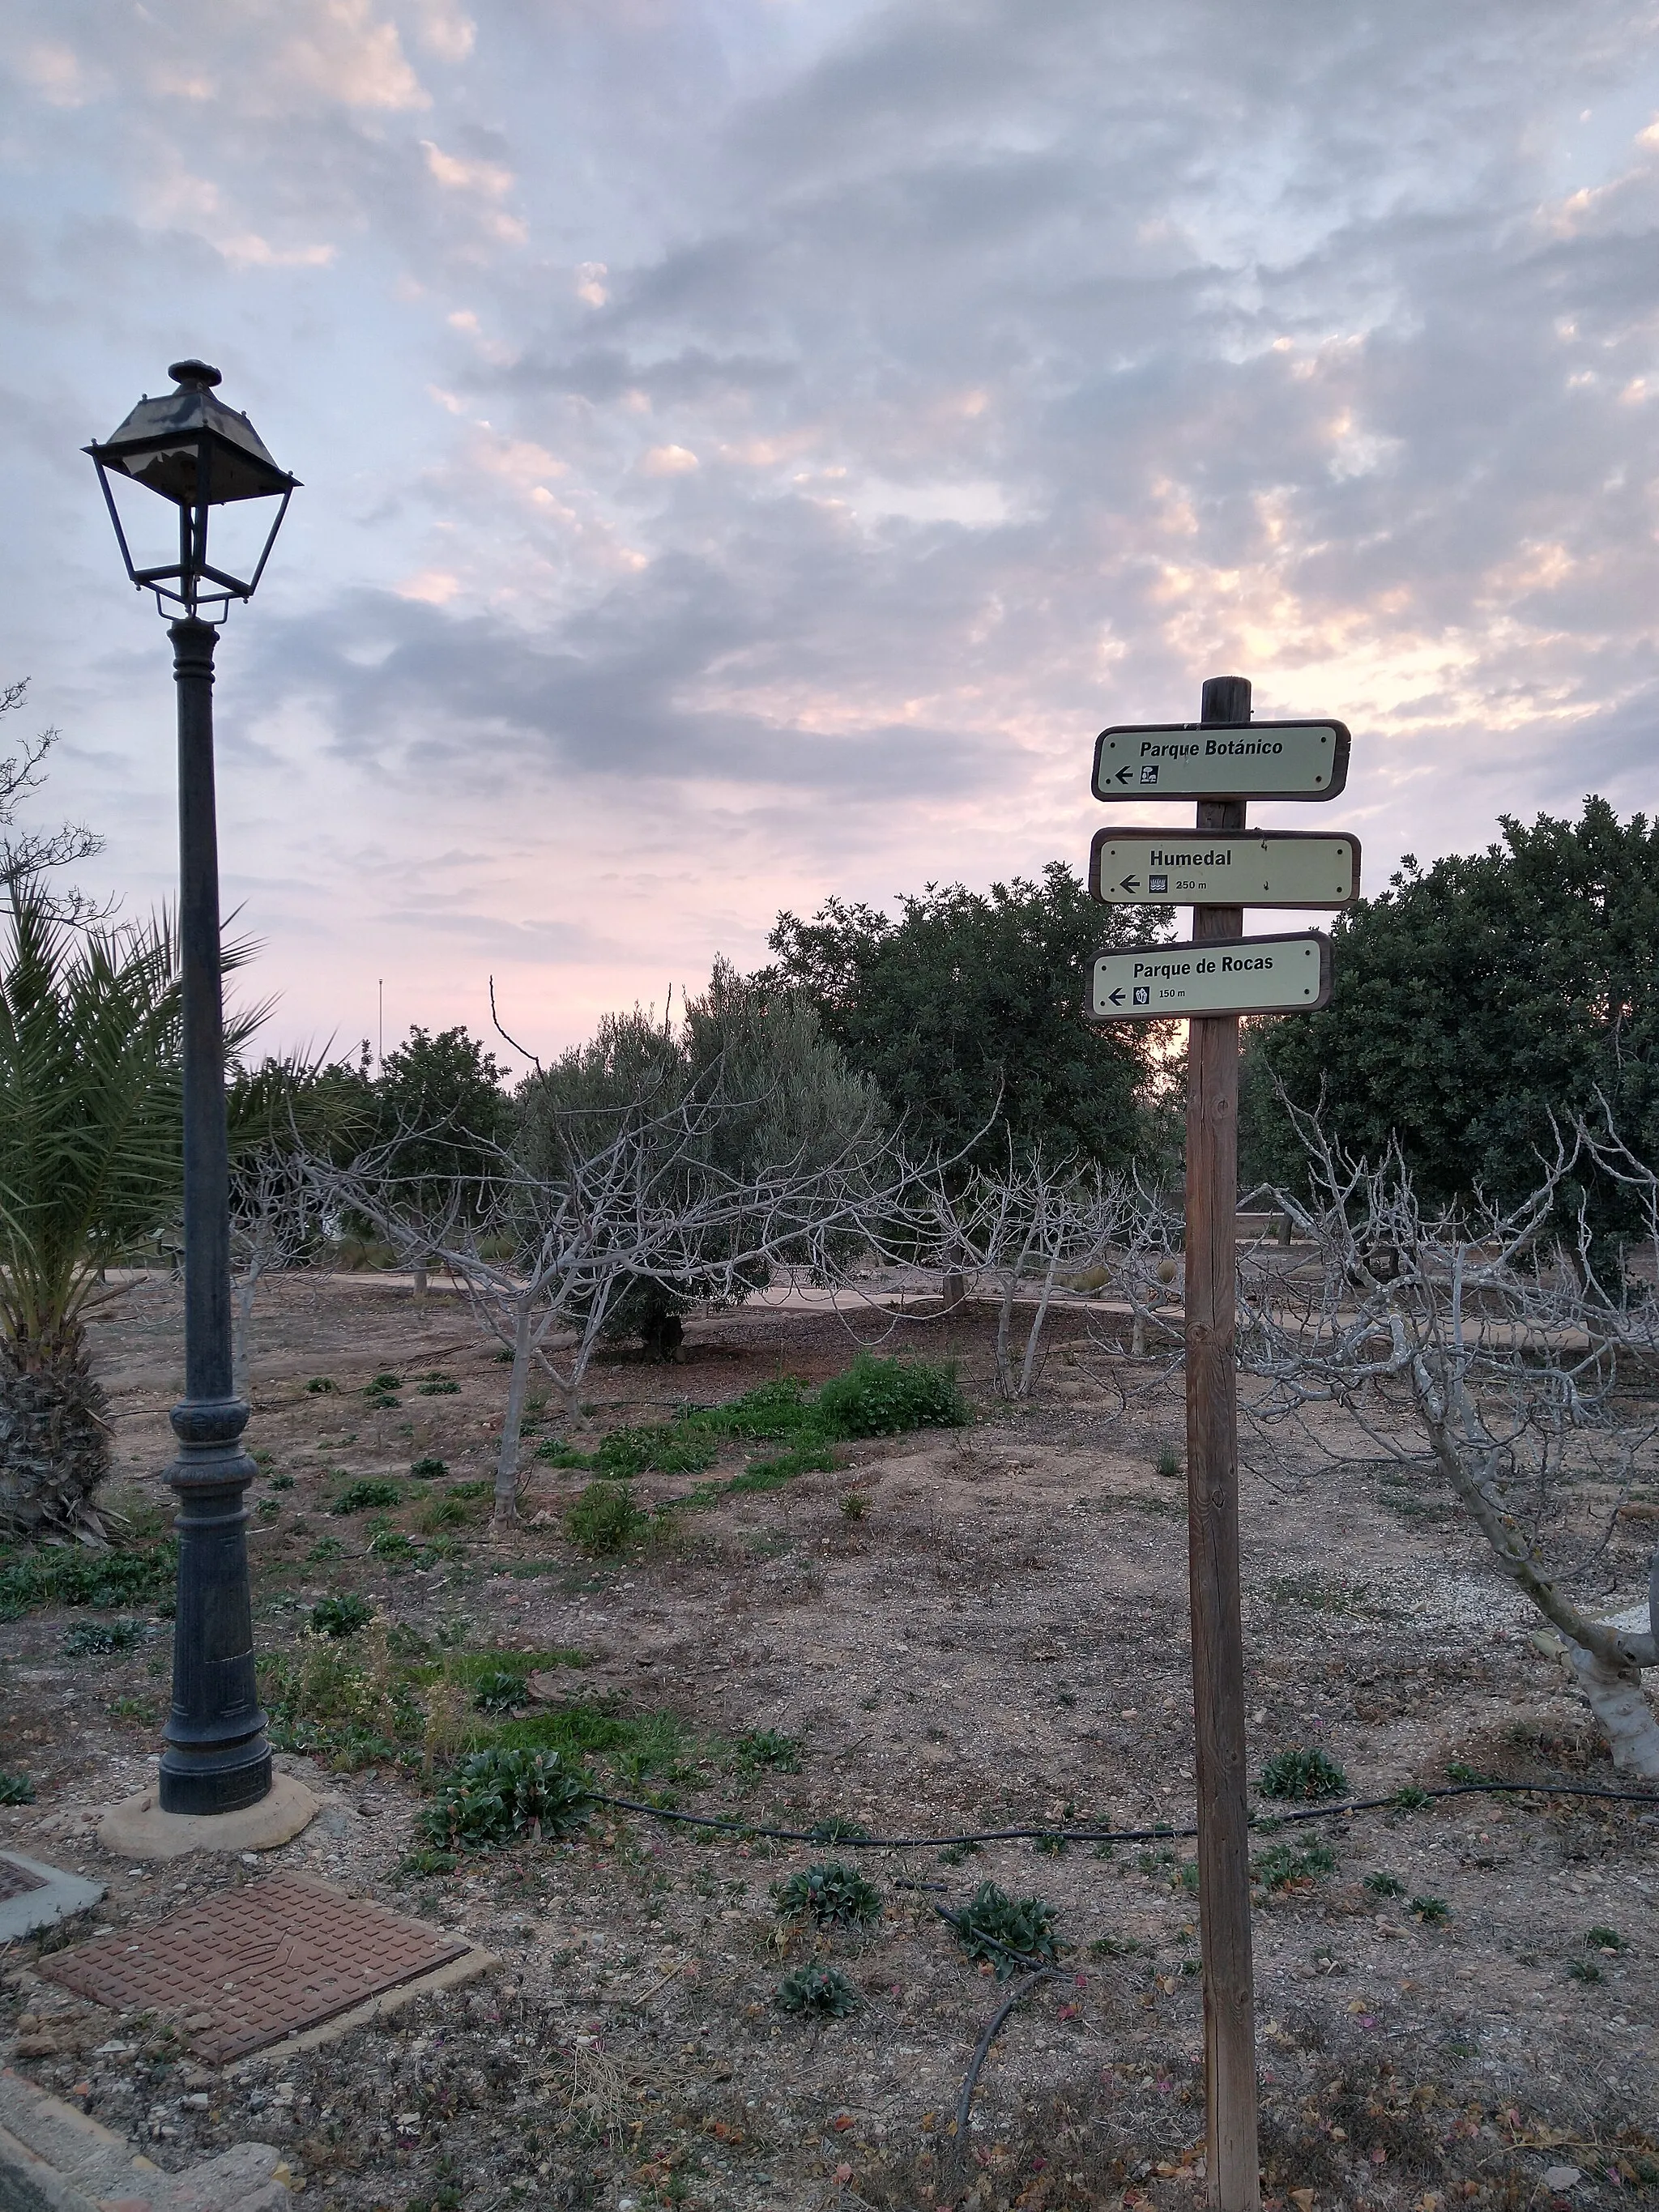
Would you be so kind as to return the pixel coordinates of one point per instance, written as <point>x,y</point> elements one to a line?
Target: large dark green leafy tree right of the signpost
<point>1472,1001</point>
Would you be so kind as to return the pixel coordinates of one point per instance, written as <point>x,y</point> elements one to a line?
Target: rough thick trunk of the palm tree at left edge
<point>54,1437</point>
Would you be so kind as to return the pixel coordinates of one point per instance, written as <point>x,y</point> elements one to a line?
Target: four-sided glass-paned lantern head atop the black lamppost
<point>200,455</point>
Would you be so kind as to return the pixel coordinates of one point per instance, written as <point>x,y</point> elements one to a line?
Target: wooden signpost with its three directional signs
<point>1222,762</point>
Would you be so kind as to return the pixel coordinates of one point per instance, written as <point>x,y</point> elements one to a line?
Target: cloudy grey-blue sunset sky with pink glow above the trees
<point>753,446</point>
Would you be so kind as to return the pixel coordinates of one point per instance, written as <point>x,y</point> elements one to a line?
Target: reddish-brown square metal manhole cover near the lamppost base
<point>260,1963</point>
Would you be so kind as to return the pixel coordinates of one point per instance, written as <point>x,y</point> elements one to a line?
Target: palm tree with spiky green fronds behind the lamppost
<point>90,1167</point>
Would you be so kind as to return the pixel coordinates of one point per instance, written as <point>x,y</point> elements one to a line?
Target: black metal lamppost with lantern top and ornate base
<point>196,452</point>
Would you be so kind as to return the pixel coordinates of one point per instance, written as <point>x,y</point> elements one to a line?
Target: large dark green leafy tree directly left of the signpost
<point>970,1003</point>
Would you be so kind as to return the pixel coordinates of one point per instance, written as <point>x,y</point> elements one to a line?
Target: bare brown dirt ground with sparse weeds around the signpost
<point>999,1638</point>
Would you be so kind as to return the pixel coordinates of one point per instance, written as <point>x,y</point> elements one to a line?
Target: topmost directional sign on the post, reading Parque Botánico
<point>1193,760</point>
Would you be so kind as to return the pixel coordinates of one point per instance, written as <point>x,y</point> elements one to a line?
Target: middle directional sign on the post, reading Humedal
<point>1224,868</point>
